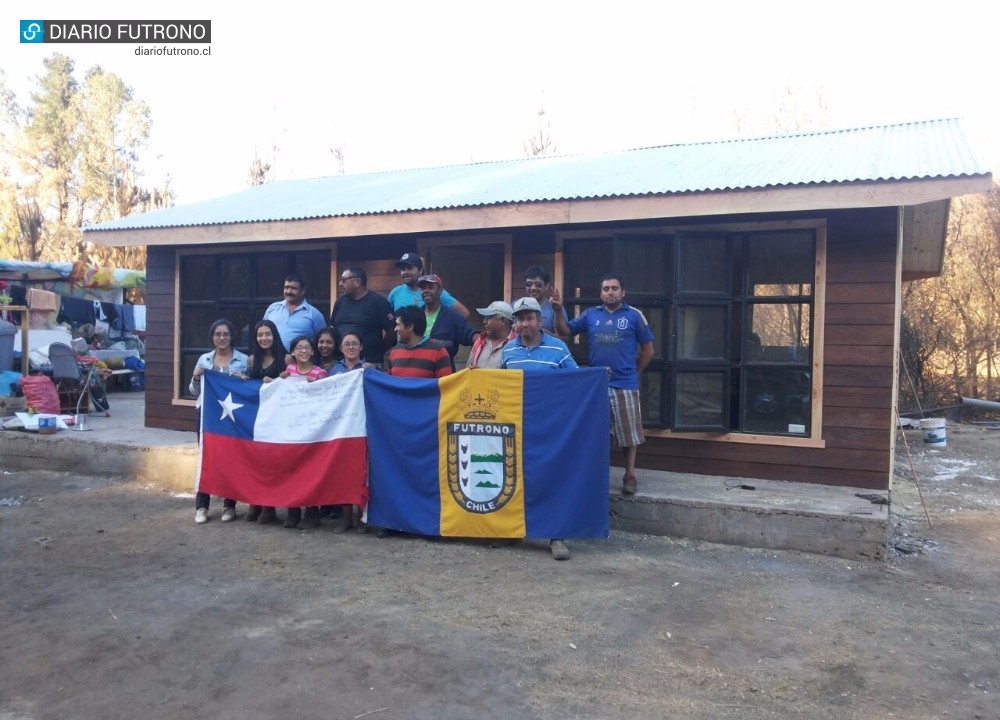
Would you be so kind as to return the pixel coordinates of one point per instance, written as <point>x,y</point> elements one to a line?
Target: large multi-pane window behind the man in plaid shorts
<point>731,313</point>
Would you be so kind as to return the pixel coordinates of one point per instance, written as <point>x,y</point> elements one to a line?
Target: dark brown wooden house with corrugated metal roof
<point>769,269</point>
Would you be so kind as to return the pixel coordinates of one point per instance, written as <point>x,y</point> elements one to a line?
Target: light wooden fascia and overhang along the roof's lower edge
<point>926,202</point>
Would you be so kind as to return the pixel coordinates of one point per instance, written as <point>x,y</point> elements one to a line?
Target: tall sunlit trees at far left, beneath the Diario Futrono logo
<point>74,152</point>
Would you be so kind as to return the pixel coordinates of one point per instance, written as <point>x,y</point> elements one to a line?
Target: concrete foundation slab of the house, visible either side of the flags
<point>754,513</point>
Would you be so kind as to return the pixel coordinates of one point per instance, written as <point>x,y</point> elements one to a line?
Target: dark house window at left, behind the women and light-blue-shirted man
<point>240,287</point>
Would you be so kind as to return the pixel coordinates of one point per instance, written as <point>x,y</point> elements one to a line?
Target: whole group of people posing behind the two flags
<point>422,326</point>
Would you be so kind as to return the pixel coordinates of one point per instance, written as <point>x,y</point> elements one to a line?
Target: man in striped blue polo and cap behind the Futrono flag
<point>534,350</point>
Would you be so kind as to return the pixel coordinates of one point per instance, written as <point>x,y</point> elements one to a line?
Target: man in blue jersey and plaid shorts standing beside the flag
<point>620,340</point>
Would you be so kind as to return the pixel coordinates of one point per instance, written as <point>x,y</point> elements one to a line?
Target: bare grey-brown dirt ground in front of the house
<point>115,604</point>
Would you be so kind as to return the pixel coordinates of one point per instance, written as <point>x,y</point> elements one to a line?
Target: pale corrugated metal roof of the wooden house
<point>911,151</point>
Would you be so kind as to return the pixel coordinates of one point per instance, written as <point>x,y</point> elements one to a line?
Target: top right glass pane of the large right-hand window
<point>780,265</point>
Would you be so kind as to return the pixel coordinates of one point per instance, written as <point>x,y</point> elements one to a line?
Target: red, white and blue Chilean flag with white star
<point>288,443</point>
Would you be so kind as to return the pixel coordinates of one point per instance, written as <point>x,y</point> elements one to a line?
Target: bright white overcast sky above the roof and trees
<point>400,85</point>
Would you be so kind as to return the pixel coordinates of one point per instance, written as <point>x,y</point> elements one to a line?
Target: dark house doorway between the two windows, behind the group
<point>474,274</point>
